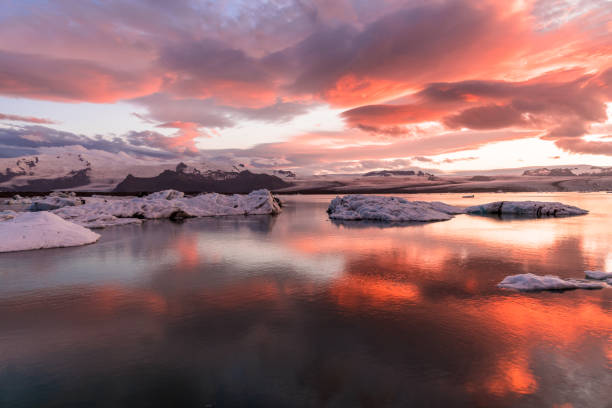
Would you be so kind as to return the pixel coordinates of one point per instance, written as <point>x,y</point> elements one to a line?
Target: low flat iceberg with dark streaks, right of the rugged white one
<point>526,208</point>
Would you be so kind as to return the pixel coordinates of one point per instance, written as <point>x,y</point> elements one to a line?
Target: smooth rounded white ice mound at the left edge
<point>36,230</point>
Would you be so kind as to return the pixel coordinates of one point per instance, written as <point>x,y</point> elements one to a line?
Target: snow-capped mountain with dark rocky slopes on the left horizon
<point>89,170</point>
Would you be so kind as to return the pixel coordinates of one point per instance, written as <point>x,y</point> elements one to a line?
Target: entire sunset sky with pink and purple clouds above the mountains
<point>315,86</point>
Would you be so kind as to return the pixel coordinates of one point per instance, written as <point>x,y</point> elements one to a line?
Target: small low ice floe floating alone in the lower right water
<point>531,282</point>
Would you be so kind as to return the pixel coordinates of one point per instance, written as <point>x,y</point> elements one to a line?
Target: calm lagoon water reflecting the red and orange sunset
<point>296,310</point>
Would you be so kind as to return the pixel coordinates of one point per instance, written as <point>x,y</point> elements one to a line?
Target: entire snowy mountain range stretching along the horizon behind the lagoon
<point>81,169</point>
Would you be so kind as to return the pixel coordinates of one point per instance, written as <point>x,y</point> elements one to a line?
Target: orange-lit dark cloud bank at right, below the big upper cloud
<point>559,104</point>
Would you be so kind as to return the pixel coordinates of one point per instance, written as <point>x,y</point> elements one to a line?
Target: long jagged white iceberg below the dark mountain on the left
<point>100,212</point>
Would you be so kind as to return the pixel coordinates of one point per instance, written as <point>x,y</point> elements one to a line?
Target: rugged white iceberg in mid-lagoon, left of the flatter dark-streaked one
<point>392,209</point>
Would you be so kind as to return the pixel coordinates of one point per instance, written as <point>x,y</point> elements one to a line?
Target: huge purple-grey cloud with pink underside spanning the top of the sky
<point>348,53</point>
